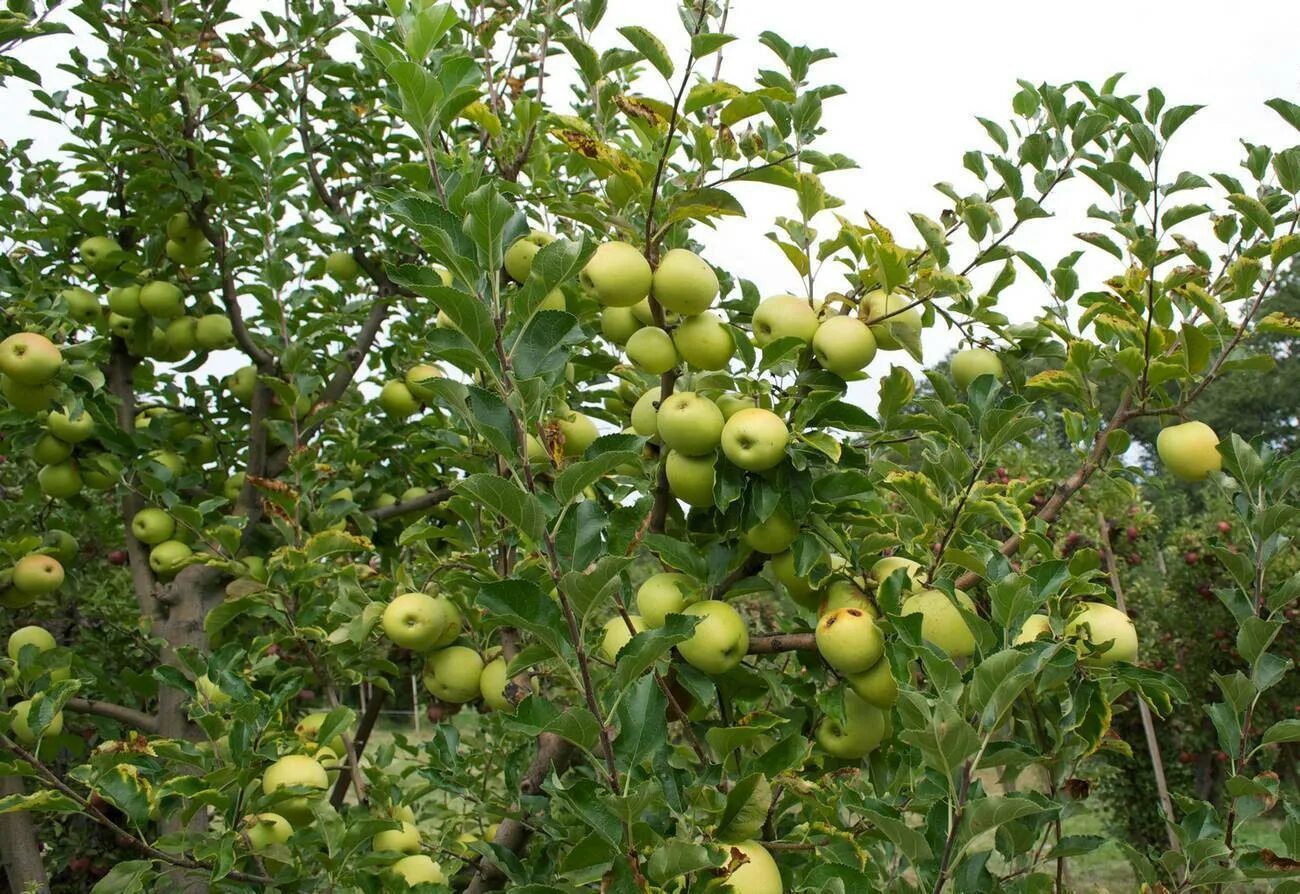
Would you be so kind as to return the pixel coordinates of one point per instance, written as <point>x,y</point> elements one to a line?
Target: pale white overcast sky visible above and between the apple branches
<point>917,76</point>
